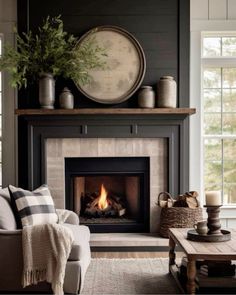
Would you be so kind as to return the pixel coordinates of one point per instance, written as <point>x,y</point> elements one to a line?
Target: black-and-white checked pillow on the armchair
<point>31,208</point>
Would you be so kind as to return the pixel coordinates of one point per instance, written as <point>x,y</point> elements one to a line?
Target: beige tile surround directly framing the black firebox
<point>59,149</point>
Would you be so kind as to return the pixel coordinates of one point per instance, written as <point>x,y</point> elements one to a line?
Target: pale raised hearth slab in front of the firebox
<point>127,240</point>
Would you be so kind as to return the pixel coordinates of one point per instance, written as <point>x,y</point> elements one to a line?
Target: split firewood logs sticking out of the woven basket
<point>189,200</point>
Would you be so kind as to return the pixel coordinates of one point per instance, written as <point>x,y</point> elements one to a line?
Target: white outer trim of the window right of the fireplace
<point>196,121</point>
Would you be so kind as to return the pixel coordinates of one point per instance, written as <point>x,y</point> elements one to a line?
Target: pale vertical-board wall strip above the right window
<point>213,10</point>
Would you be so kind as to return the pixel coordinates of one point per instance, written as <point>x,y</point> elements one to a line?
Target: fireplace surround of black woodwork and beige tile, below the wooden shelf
<point>162,138</point>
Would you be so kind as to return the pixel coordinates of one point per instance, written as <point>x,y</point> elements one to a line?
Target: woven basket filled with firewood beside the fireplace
<point>182,212</point>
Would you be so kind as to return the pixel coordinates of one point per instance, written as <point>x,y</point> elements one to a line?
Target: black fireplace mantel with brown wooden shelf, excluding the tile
<point>37,125</point>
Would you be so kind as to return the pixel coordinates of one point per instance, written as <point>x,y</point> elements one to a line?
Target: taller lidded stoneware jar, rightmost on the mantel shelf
<point>166,92</point>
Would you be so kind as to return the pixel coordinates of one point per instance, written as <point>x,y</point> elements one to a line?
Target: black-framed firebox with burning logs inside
<point>110,194</point>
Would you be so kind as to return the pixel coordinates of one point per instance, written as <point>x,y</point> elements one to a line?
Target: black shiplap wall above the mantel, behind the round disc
<point>161,27</point>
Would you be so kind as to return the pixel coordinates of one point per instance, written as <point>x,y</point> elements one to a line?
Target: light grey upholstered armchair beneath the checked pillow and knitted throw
<point>11,259</point>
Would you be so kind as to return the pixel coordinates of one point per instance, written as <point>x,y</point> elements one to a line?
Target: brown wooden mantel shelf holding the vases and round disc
<point>108,111</point>
